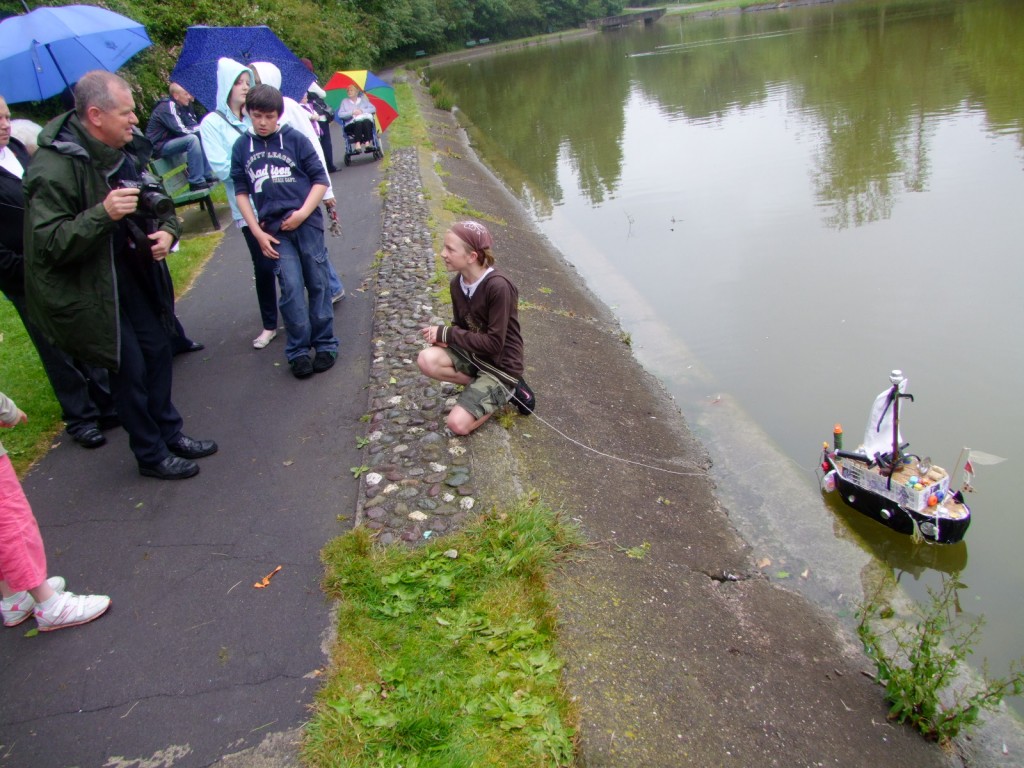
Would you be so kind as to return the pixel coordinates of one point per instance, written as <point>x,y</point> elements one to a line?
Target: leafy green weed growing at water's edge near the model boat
<point>918,662</point>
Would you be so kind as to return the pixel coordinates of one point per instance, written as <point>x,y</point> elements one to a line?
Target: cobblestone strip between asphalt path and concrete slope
<point>418,485</point>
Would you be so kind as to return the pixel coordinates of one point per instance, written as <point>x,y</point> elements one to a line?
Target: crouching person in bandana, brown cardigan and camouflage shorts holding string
<point>483,351</point>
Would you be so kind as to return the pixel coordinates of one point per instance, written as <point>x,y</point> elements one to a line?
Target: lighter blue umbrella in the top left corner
<point>48,51</point>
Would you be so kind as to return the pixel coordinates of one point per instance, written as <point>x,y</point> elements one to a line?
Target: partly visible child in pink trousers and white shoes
<point>24,585</point>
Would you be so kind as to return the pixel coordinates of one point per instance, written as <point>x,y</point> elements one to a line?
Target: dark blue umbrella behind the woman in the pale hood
<point>197,67</point>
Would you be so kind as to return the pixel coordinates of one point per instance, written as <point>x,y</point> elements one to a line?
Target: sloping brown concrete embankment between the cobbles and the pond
<point>679,652</point>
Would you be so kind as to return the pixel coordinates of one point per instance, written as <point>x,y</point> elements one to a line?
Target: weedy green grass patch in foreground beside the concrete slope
<point>445,655</point>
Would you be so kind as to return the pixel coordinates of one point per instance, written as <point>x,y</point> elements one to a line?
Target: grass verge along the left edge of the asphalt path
<point>25,381</point>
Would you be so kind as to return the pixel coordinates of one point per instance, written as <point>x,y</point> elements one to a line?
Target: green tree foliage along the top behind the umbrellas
<point>334,34</point>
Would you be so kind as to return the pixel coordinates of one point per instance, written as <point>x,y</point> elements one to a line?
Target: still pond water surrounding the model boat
<point>782,207</point>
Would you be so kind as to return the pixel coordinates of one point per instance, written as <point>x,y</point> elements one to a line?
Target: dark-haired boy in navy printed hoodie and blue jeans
<point>281,170</point>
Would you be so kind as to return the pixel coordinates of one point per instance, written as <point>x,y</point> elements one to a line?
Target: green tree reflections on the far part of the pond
<point>868,82</point>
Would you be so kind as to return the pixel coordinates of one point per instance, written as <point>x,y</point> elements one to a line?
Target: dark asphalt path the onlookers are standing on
<point>192,662</point>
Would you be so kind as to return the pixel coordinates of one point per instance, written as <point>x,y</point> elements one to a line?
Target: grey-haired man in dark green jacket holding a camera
<point>93,248</point>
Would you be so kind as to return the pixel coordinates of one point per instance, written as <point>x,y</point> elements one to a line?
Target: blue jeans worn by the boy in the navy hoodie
<point>302,269</point>
